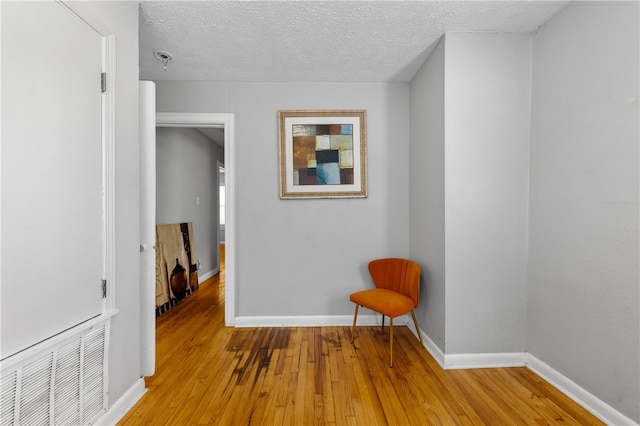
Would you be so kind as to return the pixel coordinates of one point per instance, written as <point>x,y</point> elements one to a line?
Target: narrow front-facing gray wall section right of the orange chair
<point>487,110</point>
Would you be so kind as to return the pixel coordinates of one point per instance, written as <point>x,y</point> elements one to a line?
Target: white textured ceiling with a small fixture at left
<point>313,41</point>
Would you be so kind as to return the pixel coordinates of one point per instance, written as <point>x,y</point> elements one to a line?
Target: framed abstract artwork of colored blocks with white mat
<point>323,154</point>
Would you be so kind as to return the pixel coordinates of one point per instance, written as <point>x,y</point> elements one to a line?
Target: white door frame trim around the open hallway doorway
<point>225,121</point>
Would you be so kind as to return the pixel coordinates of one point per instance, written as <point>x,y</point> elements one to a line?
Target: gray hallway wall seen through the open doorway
<point>186,168</point>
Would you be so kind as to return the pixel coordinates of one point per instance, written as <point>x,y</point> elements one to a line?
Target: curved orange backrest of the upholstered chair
<point>401,275</point>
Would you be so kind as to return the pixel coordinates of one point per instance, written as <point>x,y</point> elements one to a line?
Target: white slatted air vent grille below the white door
<point>62,385</point>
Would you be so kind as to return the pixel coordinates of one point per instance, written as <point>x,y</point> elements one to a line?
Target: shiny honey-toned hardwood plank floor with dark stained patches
<point>207,373</point>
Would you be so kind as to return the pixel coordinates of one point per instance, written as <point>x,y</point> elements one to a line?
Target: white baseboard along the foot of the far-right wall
<point>591,403</point>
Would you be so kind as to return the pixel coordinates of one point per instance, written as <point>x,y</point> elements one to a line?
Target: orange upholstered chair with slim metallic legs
<point>397,292</point>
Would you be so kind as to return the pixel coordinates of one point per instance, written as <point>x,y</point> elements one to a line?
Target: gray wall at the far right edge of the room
<point>583,298</point>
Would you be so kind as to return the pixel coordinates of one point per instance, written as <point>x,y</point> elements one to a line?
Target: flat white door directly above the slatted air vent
<point>52,173</point>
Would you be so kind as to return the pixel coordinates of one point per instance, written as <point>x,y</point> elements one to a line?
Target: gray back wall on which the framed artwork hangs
<point>304,257</point>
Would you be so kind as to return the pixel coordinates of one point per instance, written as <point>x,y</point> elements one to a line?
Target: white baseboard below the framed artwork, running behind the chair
<point>312,321</point>
